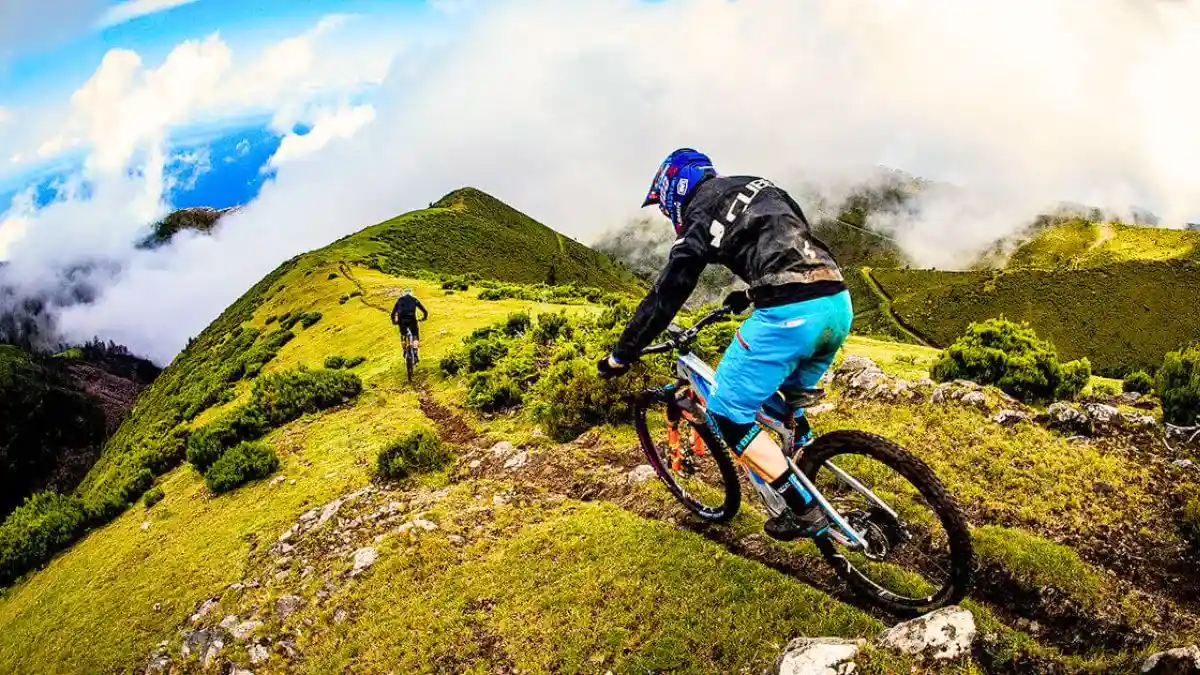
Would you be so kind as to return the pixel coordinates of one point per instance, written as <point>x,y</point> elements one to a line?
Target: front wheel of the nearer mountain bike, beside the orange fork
<point>688,457</point>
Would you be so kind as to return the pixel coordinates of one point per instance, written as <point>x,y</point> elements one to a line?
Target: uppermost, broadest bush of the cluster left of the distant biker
<point>284,397</point>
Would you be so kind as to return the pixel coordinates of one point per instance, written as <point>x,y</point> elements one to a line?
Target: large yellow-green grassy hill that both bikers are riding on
<point>543,557</point>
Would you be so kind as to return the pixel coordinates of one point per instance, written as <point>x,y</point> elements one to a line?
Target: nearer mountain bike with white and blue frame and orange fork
<point>897,536</point>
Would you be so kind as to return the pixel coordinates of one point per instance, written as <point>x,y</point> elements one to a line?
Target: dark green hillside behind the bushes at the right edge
<point>1123,316</point>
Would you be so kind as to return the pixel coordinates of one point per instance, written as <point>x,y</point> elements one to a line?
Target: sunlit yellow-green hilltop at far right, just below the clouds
<point>1085,244</point>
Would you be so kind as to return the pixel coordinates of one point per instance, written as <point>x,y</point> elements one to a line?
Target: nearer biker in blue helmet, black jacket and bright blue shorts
<point>802,310</point>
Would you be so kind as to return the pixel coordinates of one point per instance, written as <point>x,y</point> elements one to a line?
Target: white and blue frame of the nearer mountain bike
<point>699,377</point>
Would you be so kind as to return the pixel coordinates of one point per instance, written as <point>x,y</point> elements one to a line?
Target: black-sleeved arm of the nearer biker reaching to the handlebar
<point>675,284</point>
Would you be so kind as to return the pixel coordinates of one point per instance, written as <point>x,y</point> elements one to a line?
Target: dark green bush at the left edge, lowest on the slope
<point>44,525</point>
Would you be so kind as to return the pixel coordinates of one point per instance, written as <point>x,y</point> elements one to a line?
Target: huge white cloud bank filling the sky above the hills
<point>566,109</point>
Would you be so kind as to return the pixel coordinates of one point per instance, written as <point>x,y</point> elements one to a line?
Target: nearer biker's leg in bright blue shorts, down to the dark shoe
<point>769,349</point>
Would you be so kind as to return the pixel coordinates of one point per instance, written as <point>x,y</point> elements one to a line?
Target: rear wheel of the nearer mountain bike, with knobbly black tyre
<point>920,557</point>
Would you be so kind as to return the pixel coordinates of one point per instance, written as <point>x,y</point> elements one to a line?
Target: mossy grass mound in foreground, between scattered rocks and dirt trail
<point>580,588</point>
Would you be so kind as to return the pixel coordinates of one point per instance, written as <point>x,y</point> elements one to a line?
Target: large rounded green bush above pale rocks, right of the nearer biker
<point>1012,357</point>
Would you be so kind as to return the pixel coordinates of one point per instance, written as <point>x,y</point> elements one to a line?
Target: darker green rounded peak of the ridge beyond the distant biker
<point>471,232</point>
